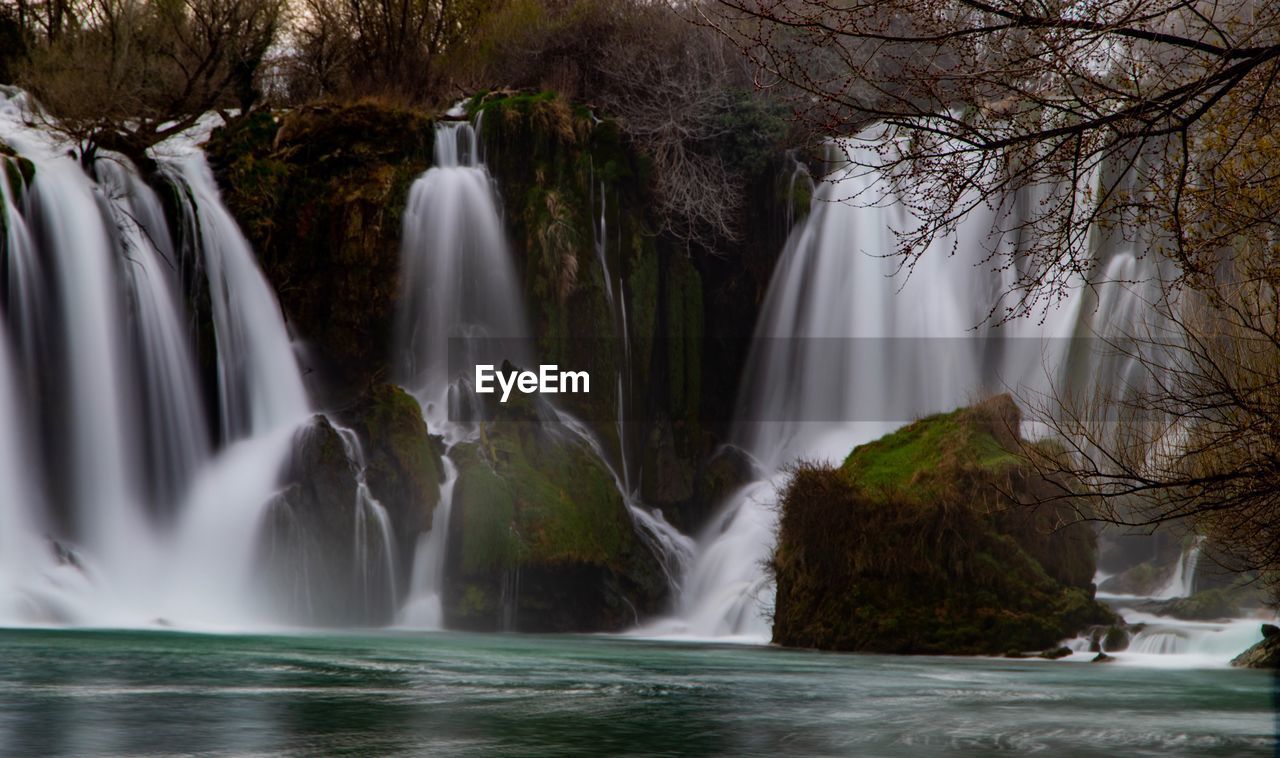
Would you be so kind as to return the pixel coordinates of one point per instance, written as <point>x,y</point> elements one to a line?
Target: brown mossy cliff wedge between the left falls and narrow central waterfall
<point>321,193</point>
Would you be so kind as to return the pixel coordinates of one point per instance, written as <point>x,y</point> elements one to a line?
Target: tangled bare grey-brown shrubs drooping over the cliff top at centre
<point>678,90</point>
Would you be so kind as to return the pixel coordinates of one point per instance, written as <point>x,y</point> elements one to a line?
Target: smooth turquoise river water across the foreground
<point>163,693</point>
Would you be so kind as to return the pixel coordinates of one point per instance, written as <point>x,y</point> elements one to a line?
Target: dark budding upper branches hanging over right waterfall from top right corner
<point>982,98</point>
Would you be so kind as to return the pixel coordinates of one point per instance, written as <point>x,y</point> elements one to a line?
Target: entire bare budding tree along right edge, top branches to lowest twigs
<point>1154,121</point>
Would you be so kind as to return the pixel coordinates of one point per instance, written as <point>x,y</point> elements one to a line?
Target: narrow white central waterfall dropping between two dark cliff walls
<point>460,307</point>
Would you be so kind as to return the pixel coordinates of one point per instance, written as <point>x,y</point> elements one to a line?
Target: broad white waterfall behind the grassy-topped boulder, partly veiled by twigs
<point>851,345</point>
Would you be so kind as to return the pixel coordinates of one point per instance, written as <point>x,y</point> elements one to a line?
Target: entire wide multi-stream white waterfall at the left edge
<point>117,508</point>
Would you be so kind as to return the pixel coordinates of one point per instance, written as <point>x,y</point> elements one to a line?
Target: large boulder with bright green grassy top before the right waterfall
<point>916,546</point>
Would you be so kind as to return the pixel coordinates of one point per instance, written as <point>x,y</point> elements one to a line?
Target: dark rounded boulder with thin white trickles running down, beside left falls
<point>339,554</point>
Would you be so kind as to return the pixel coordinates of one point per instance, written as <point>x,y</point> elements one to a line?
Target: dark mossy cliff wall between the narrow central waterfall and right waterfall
<point>612,295</point>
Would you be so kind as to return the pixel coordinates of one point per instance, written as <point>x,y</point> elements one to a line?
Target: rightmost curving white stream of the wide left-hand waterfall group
<point>263,405</point>
